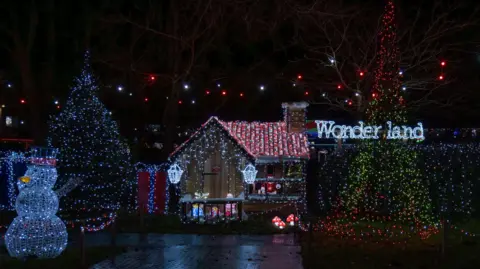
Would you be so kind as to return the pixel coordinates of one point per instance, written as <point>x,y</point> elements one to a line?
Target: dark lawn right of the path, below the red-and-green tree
<point>330,252</point>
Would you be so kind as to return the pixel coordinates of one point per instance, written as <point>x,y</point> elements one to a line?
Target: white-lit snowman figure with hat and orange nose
<point>37,231</point>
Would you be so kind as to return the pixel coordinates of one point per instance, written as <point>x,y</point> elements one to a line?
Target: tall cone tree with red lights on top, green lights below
<point>385,181</point>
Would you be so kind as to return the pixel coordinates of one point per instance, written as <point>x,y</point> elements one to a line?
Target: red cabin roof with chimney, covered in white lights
<point>262,141</point>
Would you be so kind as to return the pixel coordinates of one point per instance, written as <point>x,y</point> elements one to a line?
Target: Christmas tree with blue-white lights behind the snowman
<point>91,149</point>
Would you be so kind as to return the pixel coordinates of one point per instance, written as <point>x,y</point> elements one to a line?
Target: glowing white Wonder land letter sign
<point>327,129</point>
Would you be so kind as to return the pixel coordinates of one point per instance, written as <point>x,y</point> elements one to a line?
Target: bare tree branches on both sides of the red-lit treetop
<point>345,46</point>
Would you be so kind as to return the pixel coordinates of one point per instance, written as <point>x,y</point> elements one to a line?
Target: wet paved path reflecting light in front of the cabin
<point>208,252</point>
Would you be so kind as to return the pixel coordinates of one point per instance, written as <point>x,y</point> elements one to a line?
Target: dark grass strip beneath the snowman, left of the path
<point>70,259</point>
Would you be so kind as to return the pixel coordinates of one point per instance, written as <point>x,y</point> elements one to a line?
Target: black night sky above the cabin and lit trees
<point>241,48</point>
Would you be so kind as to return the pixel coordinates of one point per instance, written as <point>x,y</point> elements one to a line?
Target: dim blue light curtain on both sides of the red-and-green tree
<point>450,170</point>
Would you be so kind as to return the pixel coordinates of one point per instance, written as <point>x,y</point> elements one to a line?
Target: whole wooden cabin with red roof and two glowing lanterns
<point>228,168</point>
